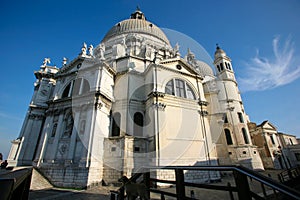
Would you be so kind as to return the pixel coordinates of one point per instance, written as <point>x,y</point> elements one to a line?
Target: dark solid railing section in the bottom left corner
<point>15,183</point>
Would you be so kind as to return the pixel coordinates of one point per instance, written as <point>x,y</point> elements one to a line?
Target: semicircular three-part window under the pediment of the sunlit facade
<point>180,88</point>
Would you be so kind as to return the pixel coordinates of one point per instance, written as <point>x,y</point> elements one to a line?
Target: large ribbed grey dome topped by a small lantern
<point>136,24</point>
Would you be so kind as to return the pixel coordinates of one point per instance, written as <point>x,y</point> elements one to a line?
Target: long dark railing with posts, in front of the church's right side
<point>242,188</point>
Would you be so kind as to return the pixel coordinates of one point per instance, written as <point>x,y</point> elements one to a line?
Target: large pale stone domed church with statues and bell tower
<point>134,101</point>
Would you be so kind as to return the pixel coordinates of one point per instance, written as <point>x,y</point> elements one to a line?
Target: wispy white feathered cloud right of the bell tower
<point>263,74</point>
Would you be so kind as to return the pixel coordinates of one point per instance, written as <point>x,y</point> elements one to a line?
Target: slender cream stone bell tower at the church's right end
<point>235,146</point>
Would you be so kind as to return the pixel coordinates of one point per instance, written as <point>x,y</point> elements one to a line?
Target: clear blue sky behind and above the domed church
<point>261,37</point>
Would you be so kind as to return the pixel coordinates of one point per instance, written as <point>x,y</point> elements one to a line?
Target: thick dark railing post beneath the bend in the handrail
<point>242,186</point>
